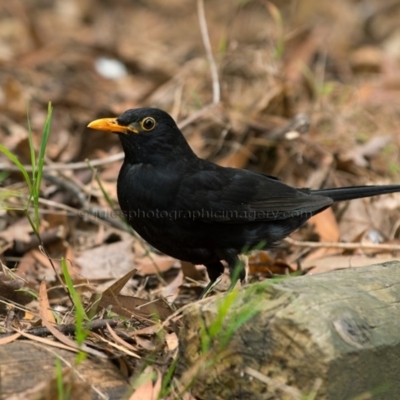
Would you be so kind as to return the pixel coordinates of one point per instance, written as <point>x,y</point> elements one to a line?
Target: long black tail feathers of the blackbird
<point>356,192</point>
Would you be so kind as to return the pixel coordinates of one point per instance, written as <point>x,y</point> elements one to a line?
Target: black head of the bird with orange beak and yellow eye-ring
<point>147,135</point>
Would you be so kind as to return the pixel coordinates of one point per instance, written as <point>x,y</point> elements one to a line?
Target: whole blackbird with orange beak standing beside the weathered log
<point>197,211</point>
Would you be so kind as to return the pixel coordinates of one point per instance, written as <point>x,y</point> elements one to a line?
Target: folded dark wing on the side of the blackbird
<point>231,195</point>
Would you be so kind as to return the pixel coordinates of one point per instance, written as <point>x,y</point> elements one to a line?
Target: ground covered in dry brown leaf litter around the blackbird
<point>305,90</point>
